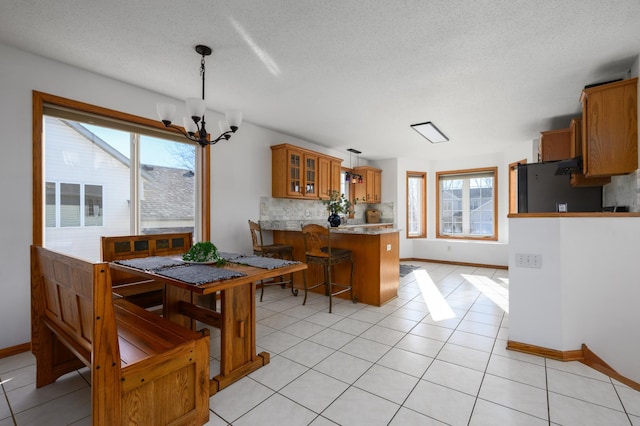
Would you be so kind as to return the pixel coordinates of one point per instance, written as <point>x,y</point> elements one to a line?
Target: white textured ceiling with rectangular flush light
<point>352,73</point>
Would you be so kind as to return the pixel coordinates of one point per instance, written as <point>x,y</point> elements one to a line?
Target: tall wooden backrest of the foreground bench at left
<point>73,298</point>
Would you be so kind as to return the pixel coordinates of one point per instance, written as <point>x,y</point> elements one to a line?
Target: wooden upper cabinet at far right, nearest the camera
<point>610,128</point>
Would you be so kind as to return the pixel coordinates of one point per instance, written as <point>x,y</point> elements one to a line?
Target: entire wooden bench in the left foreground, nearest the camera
<point>144,369</point>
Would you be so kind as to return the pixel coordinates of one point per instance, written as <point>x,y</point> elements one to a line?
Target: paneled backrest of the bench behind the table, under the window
<point>132,246</point>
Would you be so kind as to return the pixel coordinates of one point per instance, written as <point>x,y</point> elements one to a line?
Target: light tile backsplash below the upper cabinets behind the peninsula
<point>285,209</point>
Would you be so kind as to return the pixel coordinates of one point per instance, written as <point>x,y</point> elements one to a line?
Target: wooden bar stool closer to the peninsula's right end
<point>318,251</point>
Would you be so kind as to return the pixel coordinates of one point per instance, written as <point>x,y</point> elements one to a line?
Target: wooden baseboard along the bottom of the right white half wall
<point>584,355</point>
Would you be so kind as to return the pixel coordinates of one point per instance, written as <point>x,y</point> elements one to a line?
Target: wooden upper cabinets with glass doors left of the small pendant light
<point>301,173</point>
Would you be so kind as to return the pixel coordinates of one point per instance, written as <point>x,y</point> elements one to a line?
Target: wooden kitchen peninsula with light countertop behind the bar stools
<point>376,255</point>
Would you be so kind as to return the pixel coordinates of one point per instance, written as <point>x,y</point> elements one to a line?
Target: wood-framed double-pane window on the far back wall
<point>467,204</point>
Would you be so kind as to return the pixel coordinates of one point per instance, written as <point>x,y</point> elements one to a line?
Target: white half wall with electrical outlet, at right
<point>586,290</point>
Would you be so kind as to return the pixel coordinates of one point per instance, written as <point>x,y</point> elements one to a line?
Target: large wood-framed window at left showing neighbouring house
<point>99,172</point>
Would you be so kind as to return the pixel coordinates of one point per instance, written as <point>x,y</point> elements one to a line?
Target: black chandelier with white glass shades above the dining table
<point>194,125</point>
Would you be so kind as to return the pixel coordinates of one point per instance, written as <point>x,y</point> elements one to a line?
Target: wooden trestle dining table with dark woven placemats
<point>236,318</point>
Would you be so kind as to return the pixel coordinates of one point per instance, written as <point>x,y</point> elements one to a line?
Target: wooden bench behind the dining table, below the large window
<point>147,293</point>
